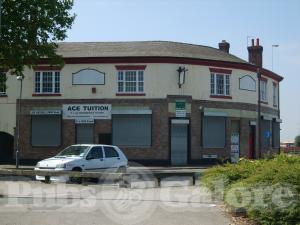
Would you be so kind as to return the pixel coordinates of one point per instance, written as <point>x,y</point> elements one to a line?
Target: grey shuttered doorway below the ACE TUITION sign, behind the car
<point>84,133</point>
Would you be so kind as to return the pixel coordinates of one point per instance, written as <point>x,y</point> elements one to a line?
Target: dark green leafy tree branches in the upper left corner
<point>30,30</point>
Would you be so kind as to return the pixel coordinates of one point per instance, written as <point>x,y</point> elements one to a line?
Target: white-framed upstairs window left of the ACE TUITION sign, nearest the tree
<point>47,82</point>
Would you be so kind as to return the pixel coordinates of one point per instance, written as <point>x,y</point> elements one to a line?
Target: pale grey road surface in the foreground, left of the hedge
<point>32,203</point>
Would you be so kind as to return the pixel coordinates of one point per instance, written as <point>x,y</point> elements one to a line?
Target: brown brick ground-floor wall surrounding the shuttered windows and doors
<point>160,148</point>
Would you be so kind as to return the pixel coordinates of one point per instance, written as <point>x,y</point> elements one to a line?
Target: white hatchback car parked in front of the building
<point>84,157</point>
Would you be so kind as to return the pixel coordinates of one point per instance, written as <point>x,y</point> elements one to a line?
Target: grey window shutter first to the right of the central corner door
<point>213,131</point>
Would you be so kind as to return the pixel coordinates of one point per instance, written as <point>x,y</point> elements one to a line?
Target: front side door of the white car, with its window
<point>95,160</point>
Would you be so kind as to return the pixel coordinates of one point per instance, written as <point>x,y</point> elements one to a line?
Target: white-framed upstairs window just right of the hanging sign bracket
<point>226,84</point>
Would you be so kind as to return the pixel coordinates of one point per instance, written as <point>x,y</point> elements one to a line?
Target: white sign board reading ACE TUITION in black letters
<point>87,111</point>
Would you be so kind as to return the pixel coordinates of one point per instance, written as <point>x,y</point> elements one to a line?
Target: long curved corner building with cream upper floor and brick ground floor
<point>161,102</point>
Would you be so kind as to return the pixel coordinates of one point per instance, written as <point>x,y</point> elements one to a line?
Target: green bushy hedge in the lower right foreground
<point>261,181</point>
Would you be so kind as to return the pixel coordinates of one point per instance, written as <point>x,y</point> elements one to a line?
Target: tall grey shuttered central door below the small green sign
<point>179,141</point>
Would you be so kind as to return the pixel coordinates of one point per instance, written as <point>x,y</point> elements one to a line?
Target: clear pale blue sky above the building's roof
<point>207,22</point>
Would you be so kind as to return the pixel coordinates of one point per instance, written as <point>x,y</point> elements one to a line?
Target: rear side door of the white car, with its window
<point>112,158</point>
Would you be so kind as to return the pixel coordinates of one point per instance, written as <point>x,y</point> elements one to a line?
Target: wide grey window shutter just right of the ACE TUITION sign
<point>132,130</point>
